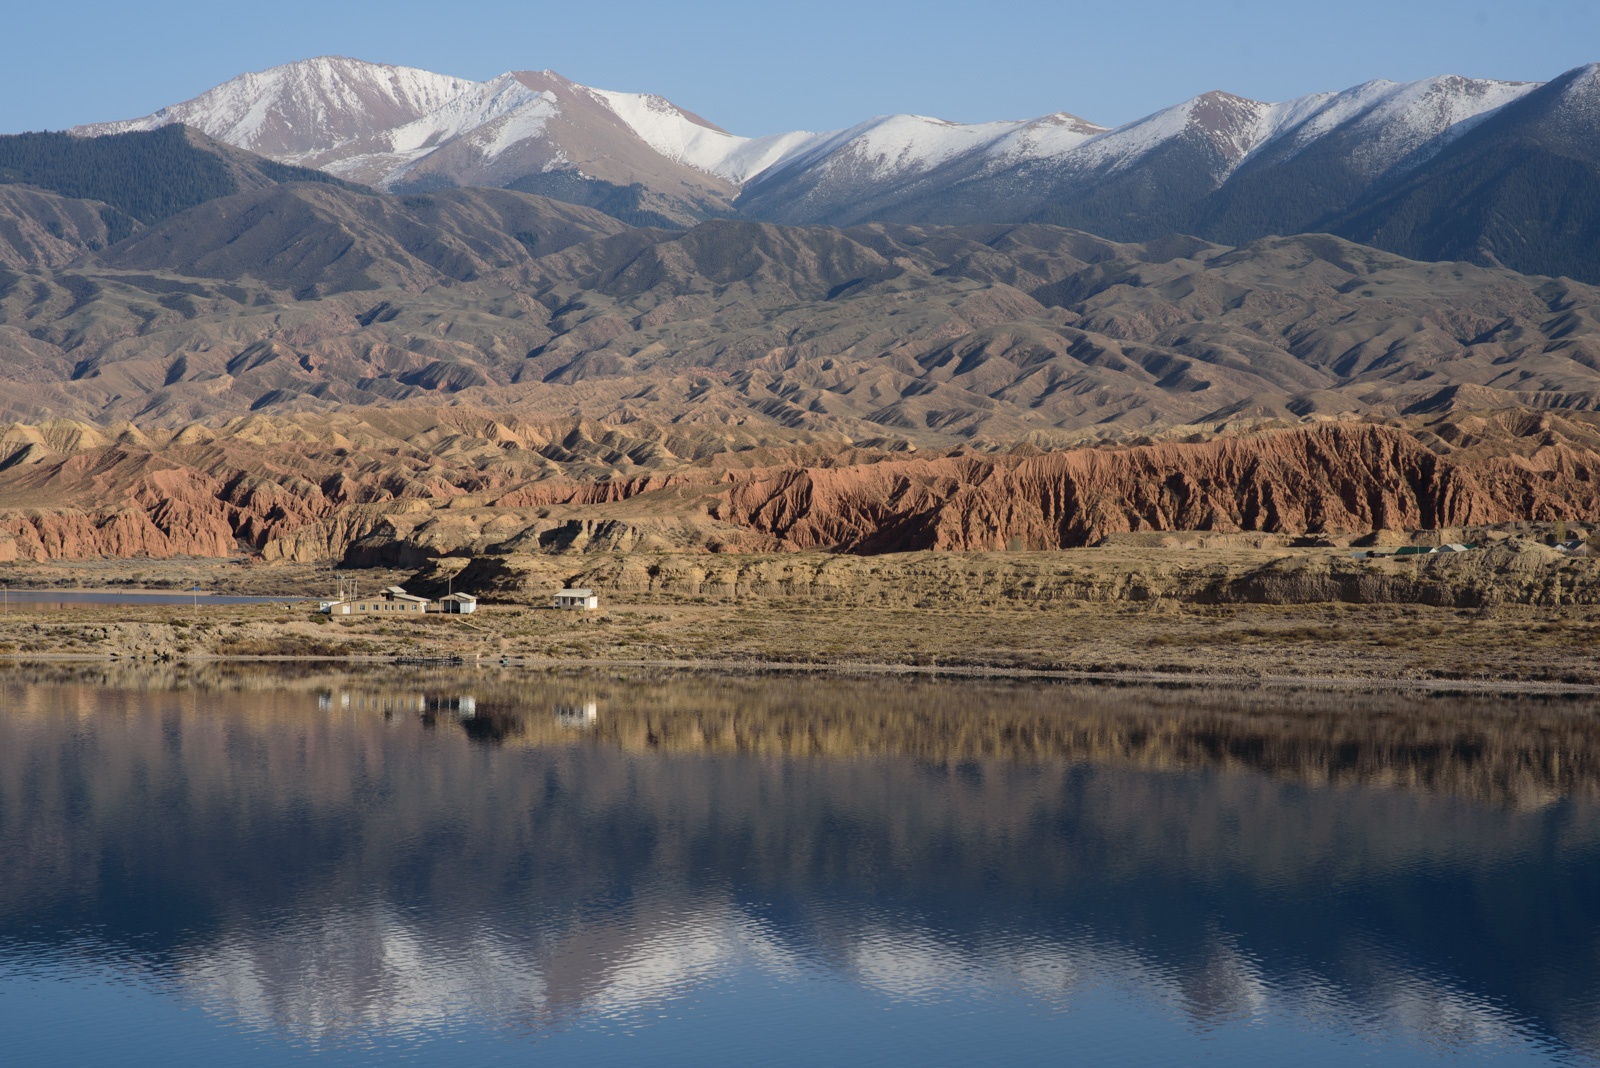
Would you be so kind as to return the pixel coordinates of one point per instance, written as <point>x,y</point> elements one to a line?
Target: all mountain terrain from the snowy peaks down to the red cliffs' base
<point>564,298</point>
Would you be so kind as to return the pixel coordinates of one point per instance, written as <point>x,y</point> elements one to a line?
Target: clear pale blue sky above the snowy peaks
<point>815,65</point>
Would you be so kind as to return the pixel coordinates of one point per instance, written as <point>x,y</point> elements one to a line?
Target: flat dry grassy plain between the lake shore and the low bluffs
<point>1164,637</point>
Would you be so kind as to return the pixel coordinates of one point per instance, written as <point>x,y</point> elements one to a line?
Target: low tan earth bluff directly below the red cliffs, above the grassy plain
<point>1526,575</point>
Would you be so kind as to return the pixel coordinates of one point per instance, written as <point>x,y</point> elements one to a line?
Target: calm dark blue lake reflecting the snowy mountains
<point>246,867</point>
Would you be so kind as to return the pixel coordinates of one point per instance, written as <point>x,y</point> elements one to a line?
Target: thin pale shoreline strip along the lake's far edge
<point>874,669</point>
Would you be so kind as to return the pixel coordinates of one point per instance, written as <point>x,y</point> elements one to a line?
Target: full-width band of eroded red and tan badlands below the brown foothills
<point>319,490</point>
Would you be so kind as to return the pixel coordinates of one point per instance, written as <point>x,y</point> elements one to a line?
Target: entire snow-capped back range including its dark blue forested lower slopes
<point>1498,173</point>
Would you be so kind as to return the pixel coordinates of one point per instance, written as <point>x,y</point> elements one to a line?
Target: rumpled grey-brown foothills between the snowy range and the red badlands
<point>932,337</point>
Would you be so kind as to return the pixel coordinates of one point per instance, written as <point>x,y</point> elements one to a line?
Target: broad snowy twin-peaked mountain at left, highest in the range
<point>537,132</point>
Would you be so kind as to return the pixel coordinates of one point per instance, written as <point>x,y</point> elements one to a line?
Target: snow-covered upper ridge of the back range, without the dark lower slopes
<point>380,124</point>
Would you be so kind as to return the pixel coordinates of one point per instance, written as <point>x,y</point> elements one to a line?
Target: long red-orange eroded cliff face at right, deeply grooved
<point>1335,479</point>
